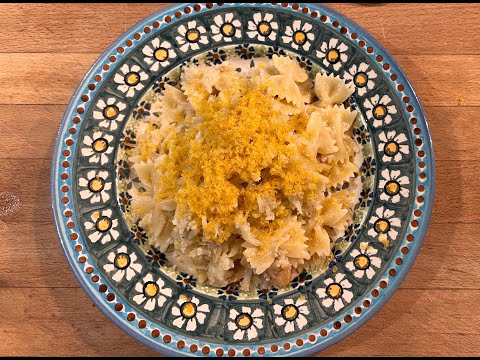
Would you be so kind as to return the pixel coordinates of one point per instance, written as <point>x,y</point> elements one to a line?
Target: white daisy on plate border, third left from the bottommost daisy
<point>122,264</point>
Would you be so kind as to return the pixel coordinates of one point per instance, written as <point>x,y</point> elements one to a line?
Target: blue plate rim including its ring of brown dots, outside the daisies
<point>90,277</point>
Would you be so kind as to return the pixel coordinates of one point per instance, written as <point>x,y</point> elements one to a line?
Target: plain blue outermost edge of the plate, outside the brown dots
<point>385,294</point>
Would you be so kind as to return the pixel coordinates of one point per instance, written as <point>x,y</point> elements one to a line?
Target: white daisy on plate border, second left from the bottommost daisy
<point>151,293</point>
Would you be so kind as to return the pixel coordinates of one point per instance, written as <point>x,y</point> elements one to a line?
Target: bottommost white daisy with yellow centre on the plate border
<point>246,323</point>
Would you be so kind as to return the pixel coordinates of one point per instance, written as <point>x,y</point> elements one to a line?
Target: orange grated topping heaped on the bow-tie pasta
<point>246,151</point>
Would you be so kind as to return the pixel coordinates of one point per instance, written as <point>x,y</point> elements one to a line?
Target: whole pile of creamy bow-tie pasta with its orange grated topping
<point>245,172</point>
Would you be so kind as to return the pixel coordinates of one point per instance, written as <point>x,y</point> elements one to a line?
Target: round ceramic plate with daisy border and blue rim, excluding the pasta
<point>134,285</point>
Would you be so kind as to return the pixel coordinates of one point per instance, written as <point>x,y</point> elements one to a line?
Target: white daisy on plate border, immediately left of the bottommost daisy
<point>189,311</point>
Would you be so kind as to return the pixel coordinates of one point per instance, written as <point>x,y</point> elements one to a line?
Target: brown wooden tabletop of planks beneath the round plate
<point>45,51</point>
